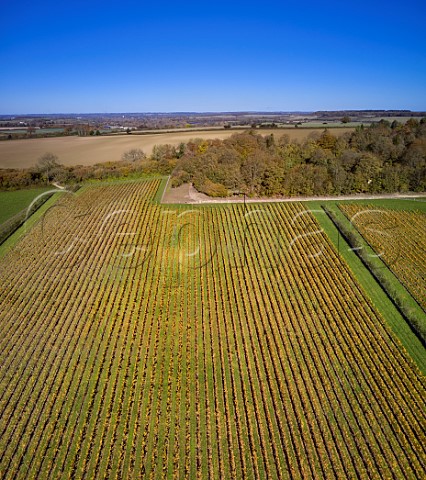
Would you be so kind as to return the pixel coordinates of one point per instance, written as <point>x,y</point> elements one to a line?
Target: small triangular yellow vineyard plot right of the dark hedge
<point>399,238</point>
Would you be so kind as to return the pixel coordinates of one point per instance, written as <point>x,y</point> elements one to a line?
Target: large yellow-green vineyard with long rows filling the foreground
<point>145,341</point>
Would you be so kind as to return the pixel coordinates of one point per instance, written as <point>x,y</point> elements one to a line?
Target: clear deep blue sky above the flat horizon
<point>154,56</point>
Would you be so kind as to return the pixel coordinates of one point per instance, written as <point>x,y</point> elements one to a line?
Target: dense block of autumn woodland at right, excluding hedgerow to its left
<point>385,157</point>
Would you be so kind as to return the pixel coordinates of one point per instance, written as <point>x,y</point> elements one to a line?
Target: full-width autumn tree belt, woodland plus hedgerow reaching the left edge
<point>383,157</point>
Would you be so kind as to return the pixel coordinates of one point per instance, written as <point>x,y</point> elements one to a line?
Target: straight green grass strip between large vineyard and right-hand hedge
<point>375,292</point>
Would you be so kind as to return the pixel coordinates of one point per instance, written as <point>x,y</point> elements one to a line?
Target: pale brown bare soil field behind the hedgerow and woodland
<point>92,150</point>
